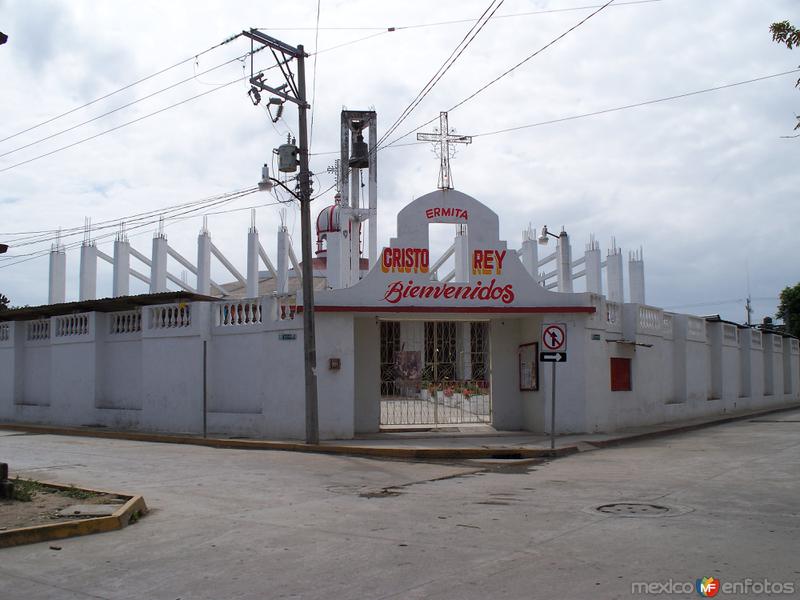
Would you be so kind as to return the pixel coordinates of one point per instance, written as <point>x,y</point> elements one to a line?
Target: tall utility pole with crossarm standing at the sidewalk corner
<point>296,92</point>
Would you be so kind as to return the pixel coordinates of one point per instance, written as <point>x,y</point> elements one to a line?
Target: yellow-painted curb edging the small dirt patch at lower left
<point>57,531</point>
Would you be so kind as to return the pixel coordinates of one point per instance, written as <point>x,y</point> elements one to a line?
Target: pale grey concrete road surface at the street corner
<point>237,524</point>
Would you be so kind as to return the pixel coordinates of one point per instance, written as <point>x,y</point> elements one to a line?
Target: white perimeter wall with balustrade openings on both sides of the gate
<point>144,370</point>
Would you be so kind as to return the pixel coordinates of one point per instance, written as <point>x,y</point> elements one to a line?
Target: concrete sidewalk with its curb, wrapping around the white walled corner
<point>467,442</point>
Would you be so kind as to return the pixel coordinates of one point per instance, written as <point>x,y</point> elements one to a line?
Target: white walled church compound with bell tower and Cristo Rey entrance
<point>399,343</point>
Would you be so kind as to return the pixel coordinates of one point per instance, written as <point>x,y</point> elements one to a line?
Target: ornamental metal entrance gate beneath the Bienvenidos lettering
<point>434,372</point>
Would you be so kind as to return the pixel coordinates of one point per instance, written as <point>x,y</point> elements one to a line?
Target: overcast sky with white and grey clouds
<point>705,184</point>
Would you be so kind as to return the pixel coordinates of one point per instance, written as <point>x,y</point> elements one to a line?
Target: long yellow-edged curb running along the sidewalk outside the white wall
<point>393,452</point>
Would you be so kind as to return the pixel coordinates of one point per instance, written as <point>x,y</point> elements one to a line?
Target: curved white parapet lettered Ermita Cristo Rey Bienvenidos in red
<point>401,278</point>
